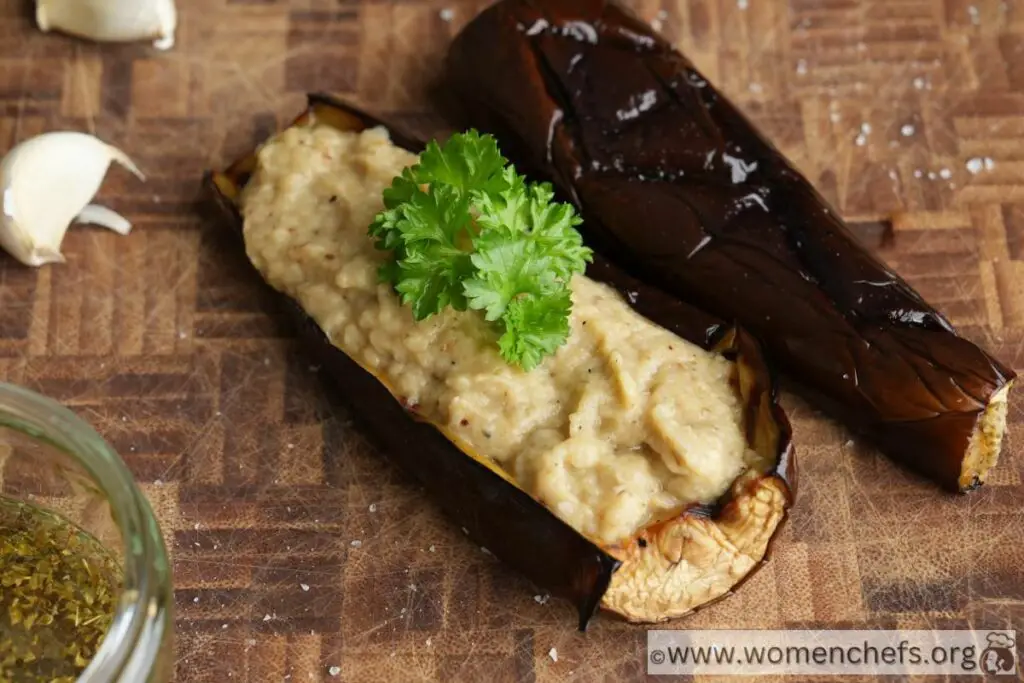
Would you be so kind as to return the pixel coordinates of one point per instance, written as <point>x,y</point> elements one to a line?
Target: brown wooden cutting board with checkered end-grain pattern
<point>301,554</point>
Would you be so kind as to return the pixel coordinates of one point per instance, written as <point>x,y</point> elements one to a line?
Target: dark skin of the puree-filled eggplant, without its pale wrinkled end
<point>495,514</point>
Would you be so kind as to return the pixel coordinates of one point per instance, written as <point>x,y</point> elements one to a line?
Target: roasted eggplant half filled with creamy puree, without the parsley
<point>642,468</point>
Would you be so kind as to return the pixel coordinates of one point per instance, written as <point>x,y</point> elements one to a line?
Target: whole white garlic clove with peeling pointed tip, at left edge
<point>49,182</point>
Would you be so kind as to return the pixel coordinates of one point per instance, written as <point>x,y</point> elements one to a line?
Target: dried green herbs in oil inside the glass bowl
<point>59,589</point>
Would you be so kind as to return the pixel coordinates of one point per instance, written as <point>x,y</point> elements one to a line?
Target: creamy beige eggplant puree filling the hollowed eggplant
<point>626,424</point>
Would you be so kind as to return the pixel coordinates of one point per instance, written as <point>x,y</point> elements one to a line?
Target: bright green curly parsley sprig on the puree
<point>466,231</point>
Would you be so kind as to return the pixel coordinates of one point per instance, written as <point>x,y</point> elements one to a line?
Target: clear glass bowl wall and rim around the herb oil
<point>53,460</point>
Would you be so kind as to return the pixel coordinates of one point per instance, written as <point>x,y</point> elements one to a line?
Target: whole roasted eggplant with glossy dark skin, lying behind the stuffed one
<point>678,189</point>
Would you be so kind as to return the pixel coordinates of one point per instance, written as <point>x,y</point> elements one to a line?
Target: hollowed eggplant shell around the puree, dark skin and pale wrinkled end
<point>672,567</point>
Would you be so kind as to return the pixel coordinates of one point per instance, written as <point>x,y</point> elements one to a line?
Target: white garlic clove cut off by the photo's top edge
<point>111,21</point>
